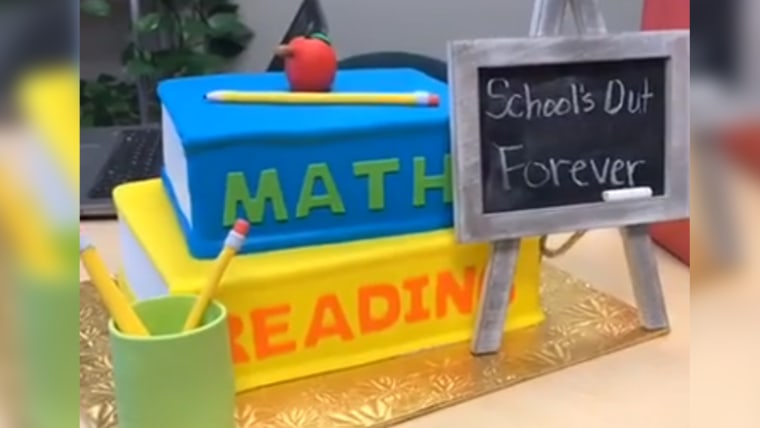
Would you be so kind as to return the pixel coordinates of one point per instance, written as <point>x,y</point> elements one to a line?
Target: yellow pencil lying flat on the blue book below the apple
<point>421,98</point>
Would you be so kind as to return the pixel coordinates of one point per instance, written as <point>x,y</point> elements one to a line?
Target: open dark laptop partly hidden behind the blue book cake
<point>113,156</point>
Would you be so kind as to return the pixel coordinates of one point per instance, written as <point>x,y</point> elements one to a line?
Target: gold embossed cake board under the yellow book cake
<point>582,323</point>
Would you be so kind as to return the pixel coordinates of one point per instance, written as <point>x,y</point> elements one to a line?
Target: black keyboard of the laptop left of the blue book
<point>138,157</point>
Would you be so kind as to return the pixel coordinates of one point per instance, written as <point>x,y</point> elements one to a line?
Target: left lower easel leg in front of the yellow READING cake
<point>494,297</point>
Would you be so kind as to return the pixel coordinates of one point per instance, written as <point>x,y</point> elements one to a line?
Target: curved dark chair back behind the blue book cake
<point>432,67</point>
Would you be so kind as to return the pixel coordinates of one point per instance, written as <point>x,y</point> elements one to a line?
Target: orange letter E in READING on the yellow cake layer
<point>264,329</point>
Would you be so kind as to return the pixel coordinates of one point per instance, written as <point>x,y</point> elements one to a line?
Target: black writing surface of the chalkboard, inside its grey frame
<point>560,134</point>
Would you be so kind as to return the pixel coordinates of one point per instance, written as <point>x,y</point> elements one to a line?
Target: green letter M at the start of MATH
<point>268,190</point>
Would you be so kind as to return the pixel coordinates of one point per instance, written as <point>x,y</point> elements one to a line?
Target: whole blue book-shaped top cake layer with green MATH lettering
<point>310,175</point>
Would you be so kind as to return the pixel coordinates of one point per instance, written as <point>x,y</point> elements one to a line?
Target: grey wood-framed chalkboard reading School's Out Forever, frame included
<point>541,137</point>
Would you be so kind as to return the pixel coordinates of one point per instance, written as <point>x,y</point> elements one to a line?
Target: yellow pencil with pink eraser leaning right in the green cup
<point>232,245</point>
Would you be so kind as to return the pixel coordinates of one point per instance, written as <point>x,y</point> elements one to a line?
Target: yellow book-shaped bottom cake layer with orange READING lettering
<point>311,310</point>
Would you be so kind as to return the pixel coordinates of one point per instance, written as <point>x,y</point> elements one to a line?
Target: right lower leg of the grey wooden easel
<point>642,266</point>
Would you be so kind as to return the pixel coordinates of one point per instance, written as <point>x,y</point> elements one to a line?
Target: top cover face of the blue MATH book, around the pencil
<point>203,124</point>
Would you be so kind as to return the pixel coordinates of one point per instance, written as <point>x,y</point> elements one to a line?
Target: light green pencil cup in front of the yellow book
<point>173,378</point>
